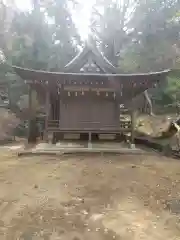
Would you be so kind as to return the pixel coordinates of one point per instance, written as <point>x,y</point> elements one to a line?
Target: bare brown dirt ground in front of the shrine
<point>99,198</point>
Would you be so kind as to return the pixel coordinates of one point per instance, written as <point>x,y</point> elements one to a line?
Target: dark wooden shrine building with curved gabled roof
<point>86,96</point>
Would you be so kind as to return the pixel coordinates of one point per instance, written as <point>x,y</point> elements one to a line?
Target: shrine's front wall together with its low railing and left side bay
<point>85,113</point>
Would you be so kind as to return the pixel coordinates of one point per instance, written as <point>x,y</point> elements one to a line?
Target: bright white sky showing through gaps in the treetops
<point>81,16</point>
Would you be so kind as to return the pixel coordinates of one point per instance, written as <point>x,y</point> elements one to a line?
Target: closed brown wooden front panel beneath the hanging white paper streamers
<point>79,113</point>
